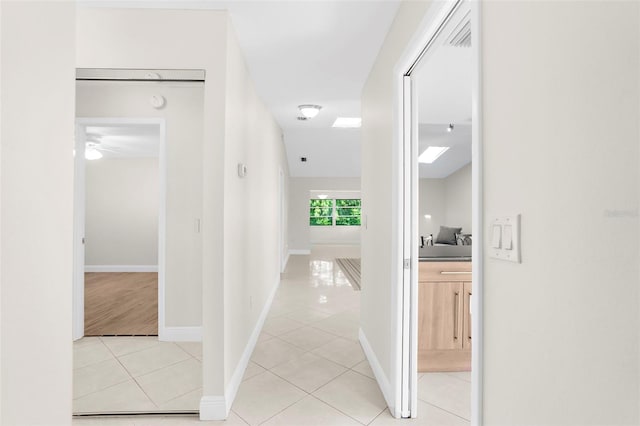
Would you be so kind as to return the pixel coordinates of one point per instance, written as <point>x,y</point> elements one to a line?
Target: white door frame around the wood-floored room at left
<point>80,208</point>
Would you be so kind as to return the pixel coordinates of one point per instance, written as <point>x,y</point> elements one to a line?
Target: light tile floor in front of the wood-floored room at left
<point>136,374</point>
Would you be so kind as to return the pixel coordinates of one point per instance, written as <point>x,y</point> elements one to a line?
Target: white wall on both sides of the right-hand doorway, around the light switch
<point>561,328</point>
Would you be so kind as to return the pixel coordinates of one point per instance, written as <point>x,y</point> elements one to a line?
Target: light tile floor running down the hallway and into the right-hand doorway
<point>308,367</point>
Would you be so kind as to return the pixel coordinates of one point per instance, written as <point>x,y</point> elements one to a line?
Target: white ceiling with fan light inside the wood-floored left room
<point>125,140</point>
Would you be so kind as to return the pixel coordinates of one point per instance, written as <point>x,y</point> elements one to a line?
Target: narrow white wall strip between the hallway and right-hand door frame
<point>377,197</point>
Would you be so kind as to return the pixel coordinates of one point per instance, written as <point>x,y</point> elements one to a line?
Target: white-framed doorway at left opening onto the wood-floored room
<point>120,192</point>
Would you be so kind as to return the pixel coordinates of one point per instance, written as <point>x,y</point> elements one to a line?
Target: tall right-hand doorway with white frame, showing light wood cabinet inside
<point>441,211</point>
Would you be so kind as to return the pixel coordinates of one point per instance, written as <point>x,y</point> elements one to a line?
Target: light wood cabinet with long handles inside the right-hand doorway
<point>444,316</point>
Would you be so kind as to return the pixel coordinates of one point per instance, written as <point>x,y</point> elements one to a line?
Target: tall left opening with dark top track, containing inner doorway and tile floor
<point>158,123</point>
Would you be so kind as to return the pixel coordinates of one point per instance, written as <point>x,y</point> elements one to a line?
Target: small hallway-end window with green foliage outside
<point>335,212</point>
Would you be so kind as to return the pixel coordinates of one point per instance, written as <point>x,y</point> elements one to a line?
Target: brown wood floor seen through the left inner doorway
<point>121,304</point>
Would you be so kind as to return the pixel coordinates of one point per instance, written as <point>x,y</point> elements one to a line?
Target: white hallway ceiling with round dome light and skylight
<point>305,52</point>
